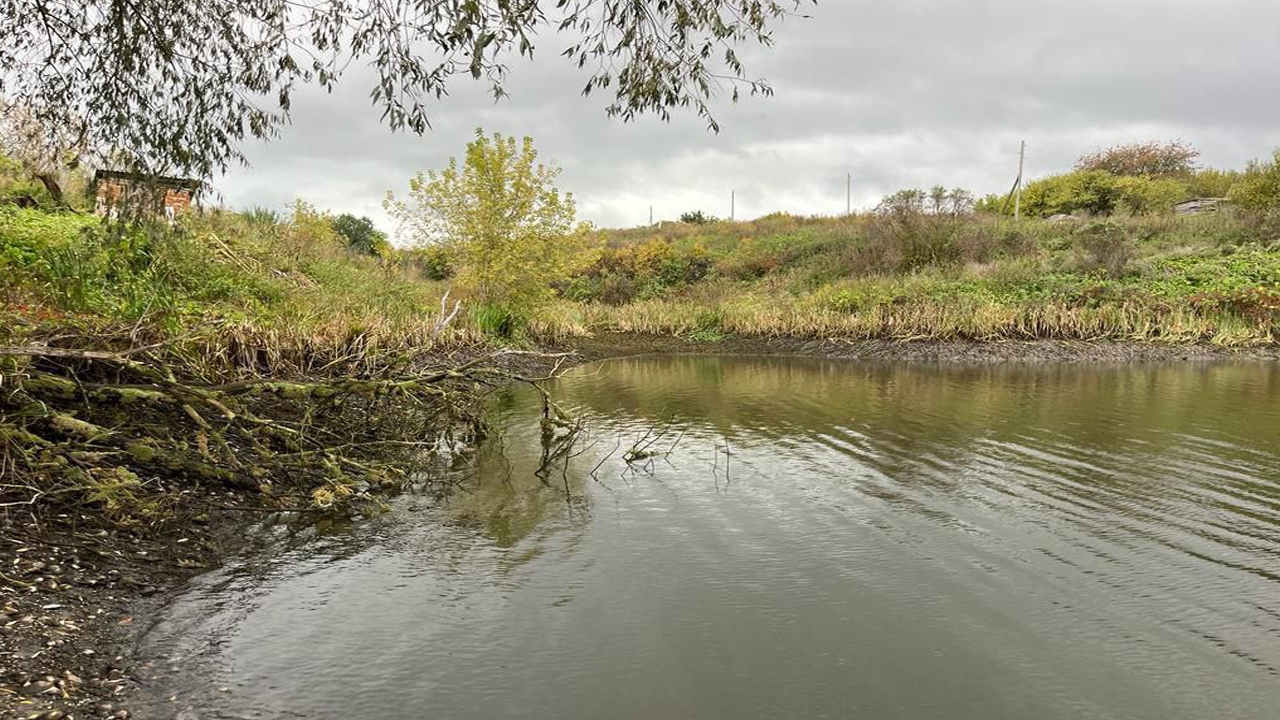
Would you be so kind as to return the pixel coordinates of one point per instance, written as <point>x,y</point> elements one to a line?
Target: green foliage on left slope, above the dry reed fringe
<point>295,276</point>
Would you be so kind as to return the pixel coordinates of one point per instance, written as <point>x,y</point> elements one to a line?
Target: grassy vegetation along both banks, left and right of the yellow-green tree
<point>286,291</point>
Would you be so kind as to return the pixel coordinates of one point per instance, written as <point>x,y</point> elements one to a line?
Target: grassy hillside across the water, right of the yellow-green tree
<point>1208,279</point>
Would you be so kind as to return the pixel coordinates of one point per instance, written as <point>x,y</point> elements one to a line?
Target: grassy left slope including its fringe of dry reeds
<point>263,294</point>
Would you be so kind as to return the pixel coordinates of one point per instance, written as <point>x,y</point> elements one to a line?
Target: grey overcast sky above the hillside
<point>899,93</point>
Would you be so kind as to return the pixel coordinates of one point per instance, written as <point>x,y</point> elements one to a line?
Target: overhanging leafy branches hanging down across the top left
<point>180,86</point>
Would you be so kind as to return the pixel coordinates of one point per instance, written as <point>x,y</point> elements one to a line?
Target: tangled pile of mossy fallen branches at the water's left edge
<point>103,426</point>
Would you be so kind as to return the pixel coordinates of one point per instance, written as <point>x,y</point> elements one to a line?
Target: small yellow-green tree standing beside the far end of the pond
<point>509,230</point>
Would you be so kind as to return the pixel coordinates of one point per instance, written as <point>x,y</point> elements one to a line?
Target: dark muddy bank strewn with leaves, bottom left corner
<point>75,582</point>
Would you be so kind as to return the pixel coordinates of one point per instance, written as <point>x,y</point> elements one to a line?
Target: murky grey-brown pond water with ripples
<point>824,541</point>
